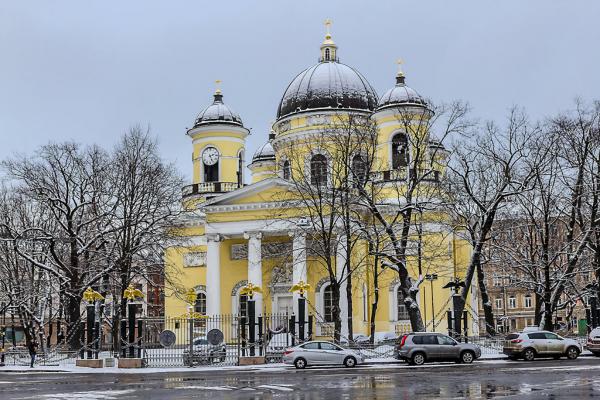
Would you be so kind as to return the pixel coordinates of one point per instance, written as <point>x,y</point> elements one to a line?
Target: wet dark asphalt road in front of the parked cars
<point>542,379</point>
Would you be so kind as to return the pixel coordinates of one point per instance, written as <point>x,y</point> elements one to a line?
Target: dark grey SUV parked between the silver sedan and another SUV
<point>420,347</point>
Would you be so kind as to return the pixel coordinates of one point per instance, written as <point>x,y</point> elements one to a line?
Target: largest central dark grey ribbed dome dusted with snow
<point>327,85</point>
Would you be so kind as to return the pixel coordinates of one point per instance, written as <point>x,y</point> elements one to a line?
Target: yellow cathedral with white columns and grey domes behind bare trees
<point>233,232</point>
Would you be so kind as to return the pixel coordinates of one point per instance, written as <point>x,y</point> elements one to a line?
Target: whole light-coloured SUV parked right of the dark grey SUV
<point>540,344</point>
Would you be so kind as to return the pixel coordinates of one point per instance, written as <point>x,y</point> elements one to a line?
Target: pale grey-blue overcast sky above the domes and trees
<point>88,70</point>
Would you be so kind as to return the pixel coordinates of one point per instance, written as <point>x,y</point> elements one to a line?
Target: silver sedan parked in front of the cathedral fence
<point>321,353</point>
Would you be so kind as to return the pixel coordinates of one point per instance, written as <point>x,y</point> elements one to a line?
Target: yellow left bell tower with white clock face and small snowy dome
<point>219,141</point>
